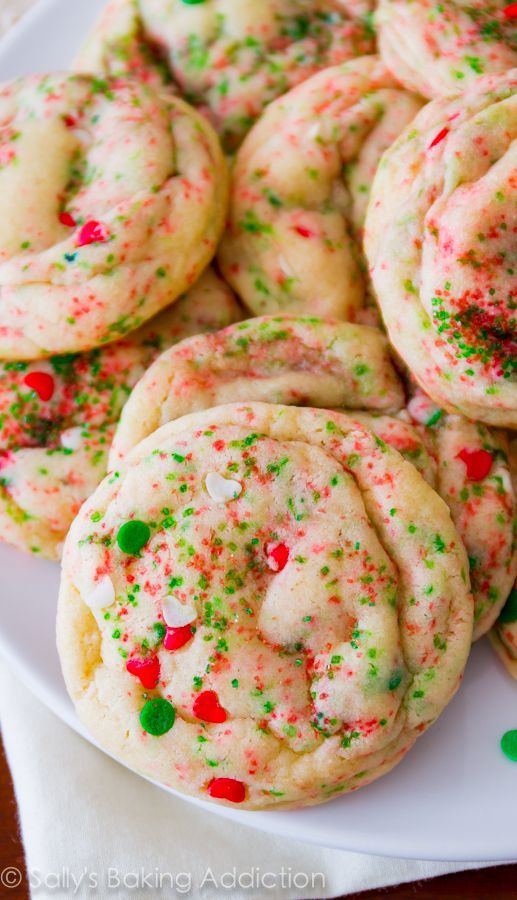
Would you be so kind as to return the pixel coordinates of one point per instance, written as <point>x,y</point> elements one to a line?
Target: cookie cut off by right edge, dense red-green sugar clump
<point>440,243</point>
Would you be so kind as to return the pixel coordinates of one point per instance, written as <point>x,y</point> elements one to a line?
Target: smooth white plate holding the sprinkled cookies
<point>452,798</point>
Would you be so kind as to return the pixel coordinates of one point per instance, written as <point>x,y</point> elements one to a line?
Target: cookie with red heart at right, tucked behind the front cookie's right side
<point>467,466</point>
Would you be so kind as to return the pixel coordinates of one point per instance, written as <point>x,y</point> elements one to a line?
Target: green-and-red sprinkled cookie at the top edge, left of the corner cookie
<point>230,58</point>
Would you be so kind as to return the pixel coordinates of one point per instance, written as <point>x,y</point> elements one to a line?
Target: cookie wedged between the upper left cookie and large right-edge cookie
<point>300,188</point>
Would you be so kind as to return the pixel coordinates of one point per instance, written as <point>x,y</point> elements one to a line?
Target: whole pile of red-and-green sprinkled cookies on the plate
<point>283,483</point>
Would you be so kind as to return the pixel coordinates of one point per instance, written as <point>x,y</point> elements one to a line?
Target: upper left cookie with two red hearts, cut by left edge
<point>112,201</point>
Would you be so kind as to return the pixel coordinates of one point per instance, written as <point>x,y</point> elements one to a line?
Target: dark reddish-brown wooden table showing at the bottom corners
<point>490,884</point>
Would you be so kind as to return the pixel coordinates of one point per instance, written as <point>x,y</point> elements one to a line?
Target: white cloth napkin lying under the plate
<point>86,820</point>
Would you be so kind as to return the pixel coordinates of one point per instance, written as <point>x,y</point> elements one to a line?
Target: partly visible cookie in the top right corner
<point>437,49</point>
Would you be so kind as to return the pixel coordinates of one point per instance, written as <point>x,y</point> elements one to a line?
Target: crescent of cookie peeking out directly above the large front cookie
<point>295,361</point>
